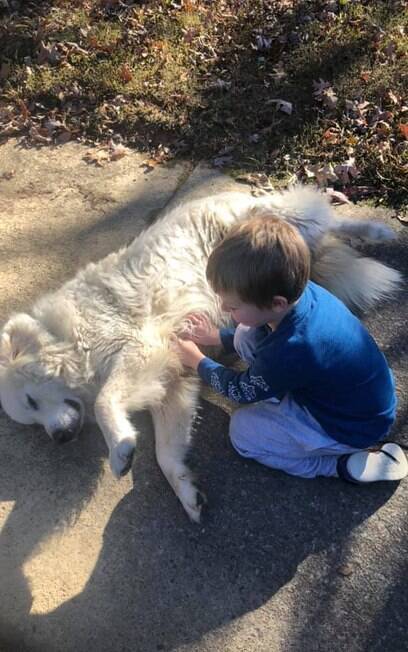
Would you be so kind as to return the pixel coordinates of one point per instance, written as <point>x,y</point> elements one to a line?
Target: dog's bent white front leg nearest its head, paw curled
<point>112,417</point>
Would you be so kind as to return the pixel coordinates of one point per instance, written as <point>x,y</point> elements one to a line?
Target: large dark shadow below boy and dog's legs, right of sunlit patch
<point>161,582</point>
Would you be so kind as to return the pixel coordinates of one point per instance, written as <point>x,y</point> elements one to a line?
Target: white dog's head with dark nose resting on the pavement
<point>33,388</point>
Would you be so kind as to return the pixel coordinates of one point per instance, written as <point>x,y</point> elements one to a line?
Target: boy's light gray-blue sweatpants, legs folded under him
<point>282,434</point>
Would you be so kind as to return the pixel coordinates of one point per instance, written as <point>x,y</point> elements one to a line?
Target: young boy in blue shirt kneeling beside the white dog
<point>318,391</point>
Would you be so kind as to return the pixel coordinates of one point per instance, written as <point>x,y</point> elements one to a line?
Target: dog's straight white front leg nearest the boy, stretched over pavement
<point>172,422</point>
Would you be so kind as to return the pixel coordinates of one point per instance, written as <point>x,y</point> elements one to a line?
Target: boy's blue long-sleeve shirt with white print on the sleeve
<point>324,356</point>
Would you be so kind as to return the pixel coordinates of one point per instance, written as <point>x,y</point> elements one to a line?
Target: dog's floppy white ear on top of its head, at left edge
<point>21,336</point>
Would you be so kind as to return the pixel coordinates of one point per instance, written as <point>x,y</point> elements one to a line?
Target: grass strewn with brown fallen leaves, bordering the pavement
<point>191,76</point>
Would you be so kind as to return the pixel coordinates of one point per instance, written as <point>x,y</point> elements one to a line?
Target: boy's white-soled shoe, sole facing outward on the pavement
<point>386,463</point>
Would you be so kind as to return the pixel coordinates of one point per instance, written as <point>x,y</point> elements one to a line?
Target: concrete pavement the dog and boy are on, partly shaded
<point>91,564</point>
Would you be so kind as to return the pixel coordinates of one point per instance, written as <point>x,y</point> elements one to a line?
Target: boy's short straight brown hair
<point>259,259</point>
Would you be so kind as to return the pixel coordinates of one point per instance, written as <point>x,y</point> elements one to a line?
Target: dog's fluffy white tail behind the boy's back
<point>360,282</point>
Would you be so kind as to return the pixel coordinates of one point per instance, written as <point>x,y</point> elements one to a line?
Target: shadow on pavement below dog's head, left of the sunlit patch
<point>65,480</point>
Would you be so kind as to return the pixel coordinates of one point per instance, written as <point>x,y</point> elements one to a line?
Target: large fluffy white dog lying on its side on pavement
<point>102,341</point>
